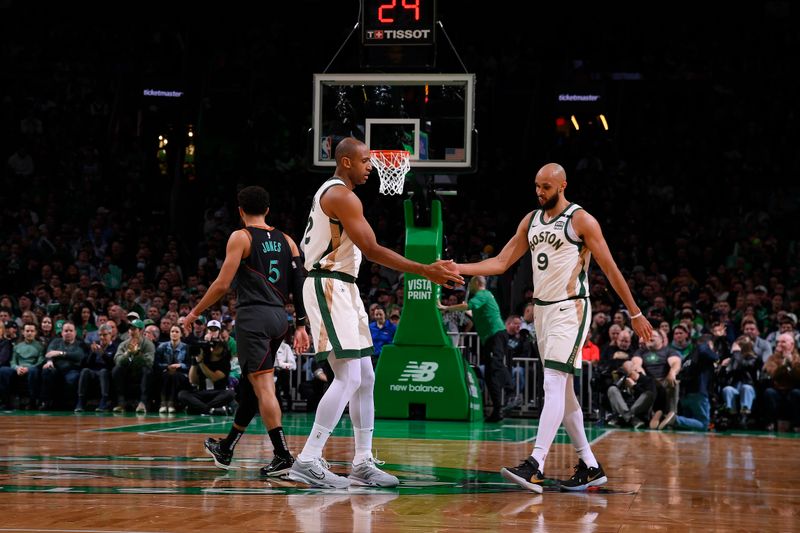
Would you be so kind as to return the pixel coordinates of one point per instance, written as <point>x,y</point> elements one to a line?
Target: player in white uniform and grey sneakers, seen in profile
<point>336,235</point>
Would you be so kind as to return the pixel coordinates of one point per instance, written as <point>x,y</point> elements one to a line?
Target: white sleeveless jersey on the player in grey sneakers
<point>325,243</point>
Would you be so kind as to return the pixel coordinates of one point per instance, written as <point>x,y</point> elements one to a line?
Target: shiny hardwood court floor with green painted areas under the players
<point>69,473</point>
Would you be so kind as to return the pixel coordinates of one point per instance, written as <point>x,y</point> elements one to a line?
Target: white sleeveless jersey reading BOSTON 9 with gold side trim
<point>560,259</point>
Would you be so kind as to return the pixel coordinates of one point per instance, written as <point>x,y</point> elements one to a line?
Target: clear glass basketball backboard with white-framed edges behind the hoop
<point>430,115</point>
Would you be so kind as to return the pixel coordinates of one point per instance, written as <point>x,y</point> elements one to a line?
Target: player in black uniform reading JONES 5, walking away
<point>264,265</point>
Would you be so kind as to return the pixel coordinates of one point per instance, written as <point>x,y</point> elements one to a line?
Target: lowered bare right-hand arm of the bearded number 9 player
<point>587,227</point>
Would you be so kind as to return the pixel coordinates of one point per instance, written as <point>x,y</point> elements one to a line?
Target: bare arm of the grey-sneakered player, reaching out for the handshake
<point>342,204</point>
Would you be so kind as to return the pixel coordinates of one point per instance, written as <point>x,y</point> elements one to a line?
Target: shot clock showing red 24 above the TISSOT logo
<point>398,22</point>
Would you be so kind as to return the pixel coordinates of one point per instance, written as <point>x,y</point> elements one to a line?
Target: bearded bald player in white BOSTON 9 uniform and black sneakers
<point>562,238</point>
